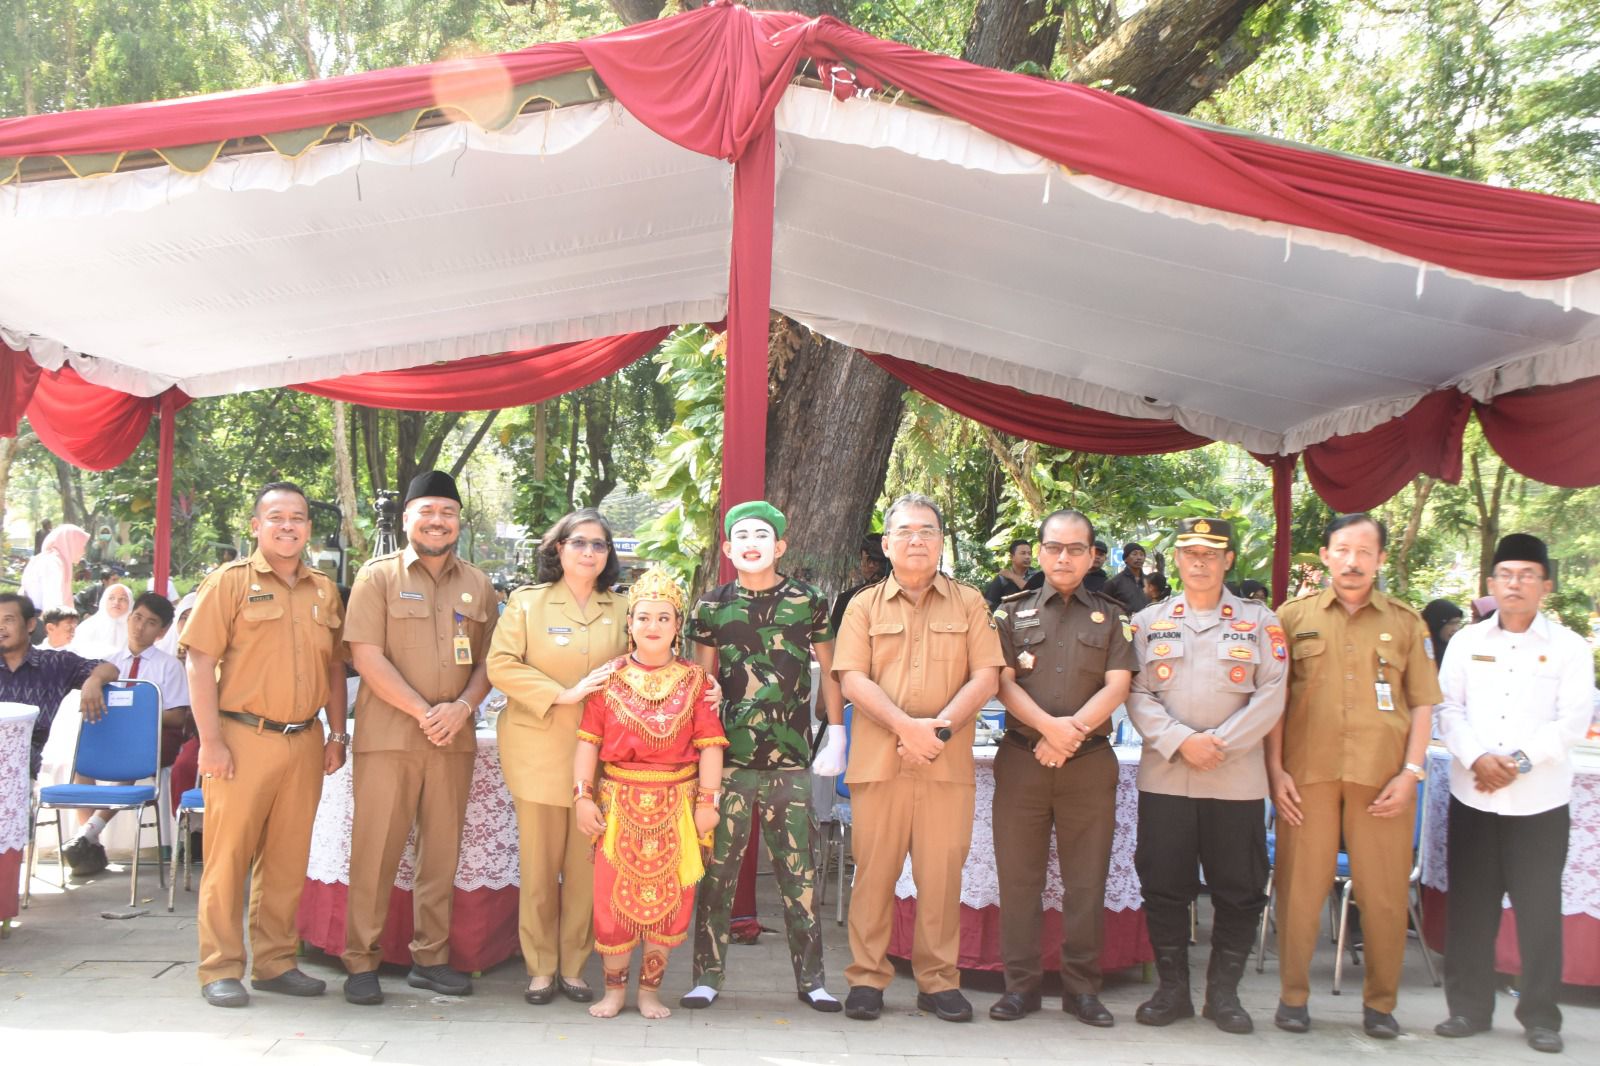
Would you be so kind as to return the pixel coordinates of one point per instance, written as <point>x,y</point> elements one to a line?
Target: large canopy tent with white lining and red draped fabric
<point>1050,260</point>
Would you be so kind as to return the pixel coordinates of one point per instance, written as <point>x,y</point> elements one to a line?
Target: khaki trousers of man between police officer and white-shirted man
<point>1380,852</point>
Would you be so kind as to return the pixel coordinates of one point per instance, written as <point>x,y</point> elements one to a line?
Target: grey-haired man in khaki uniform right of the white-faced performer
<point>919,657</point>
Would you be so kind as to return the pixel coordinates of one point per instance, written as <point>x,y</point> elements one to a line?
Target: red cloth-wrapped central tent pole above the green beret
<point>750,311</point>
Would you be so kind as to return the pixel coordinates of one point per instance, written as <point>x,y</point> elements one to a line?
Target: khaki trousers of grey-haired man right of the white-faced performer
<point>934,824</point>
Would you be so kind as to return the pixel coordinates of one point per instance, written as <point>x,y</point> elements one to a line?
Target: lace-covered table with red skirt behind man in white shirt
<point>1580,881</point>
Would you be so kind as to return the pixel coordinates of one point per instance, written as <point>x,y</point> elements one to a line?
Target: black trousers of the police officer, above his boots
<point>1178,836</point>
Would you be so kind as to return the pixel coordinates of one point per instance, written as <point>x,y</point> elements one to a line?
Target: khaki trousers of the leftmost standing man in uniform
<point>262,819</point>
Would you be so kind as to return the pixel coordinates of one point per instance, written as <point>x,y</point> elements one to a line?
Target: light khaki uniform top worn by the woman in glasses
<point>545,644</point>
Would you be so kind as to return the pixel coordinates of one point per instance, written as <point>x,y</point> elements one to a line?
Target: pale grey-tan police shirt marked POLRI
<point>1226,675</point>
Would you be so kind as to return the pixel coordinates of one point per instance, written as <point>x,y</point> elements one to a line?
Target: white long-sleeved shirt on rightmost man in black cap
<point>1506,692</point>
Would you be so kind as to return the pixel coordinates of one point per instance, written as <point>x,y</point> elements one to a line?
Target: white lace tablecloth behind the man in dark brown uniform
<point>980,878</point>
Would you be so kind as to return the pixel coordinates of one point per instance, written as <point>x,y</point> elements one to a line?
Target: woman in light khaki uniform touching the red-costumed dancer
<point>550,654</point>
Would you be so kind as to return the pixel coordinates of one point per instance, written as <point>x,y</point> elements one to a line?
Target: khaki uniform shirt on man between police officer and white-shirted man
<point>1334,729</point>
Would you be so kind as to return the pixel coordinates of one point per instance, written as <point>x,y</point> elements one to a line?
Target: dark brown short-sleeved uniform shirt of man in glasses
<point>1062,649</point>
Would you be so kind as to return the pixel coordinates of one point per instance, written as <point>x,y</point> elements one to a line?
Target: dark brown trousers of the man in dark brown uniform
<point>1079,803</point>
